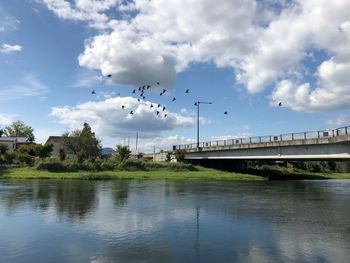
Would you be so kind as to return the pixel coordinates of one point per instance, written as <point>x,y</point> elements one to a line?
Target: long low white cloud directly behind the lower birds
<point>108,118</point>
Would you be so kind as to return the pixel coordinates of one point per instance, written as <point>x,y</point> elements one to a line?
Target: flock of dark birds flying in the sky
<point>160,110</point>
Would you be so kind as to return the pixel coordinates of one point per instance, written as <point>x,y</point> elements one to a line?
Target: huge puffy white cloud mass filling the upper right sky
<point>264,42</point>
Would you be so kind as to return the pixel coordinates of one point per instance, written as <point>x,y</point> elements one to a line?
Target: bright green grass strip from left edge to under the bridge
<point>202,174</point>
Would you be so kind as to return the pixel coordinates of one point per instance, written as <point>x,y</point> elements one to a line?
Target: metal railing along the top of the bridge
<point>269,138</point>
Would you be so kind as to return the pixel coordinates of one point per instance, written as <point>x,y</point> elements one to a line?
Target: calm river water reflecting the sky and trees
<point>174,221</point>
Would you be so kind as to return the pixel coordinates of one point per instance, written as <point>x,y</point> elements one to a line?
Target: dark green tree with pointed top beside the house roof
<point>82,142</point>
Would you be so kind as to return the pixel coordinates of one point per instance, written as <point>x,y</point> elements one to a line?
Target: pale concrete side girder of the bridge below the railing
<point>339,150</point>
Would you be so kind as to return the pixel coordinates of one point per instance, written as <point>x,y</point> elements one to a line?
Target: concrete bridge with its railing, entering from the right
<point>331,144</point>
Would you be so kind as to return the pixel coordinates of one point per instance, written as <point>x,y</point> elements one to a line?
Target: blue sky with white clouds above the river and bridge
<point>244,56</point>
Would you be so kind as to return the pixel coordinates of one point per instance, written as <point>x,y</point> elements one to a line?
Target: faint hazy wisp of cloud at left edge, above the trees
<point>30,86</point>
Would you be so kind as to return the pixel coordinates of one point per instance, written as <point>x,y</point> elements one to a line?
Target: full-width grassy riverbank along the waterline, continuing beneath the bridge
<point>200,174</point>
